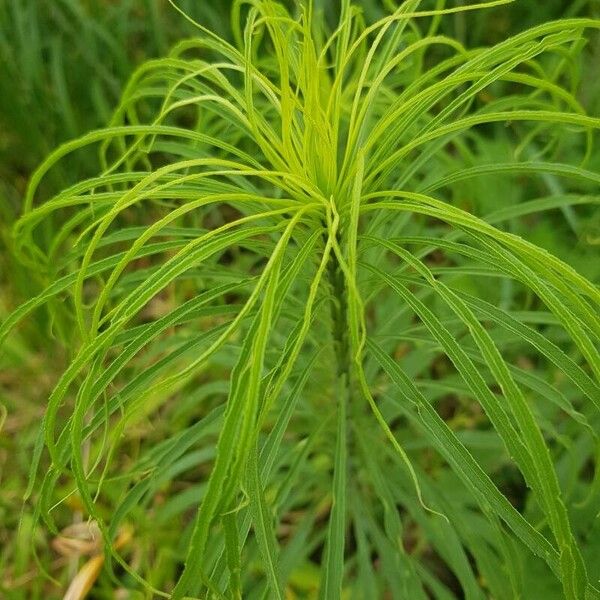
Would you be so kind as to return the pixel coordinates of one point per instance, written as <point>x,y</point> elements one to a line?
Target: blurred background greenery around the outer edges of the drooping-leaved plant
<point>63,64</point>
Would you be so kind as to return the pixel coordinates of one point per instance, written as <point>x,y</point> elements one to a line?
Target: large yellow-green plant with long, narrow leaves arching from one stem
<point>312,349</point>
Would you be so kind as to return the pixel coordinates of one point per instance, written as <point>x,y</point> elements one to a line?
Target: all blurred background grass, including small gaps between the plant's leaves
<point>66,63</point>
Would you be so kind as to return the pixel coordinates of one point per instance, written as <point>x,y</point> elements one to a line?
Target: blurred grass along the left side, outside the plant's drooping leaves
<point>63,66</point>
